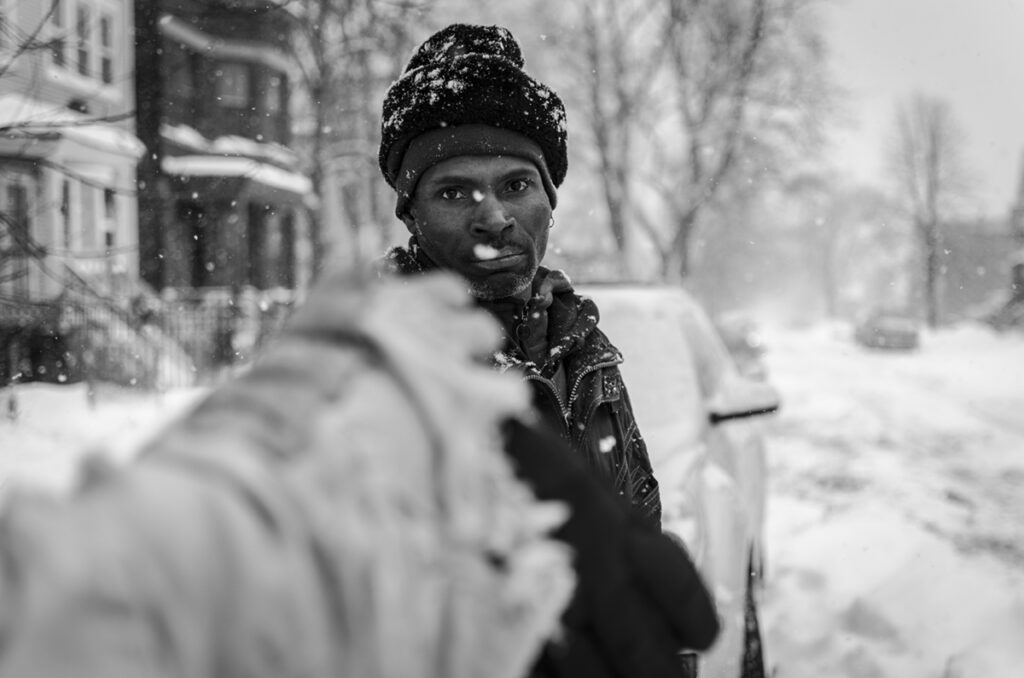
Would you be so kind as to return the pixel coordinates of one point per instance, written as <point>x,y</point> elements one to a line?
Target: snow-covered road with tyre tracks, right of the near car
<point>897,514</point>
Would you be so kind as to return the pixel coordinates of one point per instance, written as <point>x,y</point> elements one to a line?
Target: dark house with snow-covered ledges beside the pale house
<point>224,205</point>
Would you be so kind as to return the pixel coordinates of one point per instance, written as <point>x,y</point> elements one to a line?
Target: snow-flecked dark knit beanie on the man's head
<point>464,93</point>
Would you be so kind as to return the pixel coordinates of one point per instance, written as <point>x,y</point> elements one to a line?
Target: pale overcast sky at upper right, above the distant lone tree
<point>970,53</point>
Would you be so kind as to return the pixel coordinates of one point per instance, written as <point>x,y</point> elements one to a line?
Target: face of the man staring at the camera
<point>485,218</point>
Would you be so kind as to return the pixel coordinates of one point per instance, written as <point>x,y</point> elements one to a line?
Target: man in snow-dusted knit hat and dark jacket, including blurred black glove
<point>476,150</point>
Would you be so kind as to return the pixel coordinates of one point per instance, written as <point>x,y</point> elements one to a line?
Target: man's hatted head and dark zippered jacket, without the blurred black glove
<point>476,150</point>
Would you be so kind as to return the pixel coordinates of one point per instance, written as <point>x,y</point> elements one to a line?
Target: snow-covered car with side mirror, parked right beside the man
<point>702,421</point>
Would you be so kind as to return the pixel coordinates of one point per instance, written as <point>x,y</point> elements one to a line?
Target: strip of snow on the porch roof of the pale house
<point>24,116</point>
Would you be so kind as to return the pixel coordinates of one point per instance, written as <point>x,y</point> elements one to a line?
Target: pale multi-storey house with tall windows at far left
<point>68,153</point>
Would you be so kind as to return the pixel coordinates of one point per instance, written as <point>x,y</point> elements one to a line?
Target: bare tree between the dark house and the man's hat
<point>349,52</point>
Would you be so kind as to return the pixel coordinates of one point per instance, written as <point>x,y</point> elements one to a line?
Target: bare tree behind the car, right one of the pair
<point>748,86</point>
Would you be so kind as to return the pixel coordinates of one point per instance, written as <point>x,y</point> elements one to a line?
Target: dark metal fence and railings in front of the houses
<point>169,345</point>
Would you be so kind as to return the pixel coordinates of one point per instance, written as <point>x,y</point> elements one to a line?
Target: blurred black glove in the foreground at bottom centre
<point>639,600</point>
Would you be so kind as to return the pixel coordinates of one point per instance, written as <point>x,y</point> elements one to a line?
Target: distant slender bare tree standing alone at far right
<point>931,179</point>
